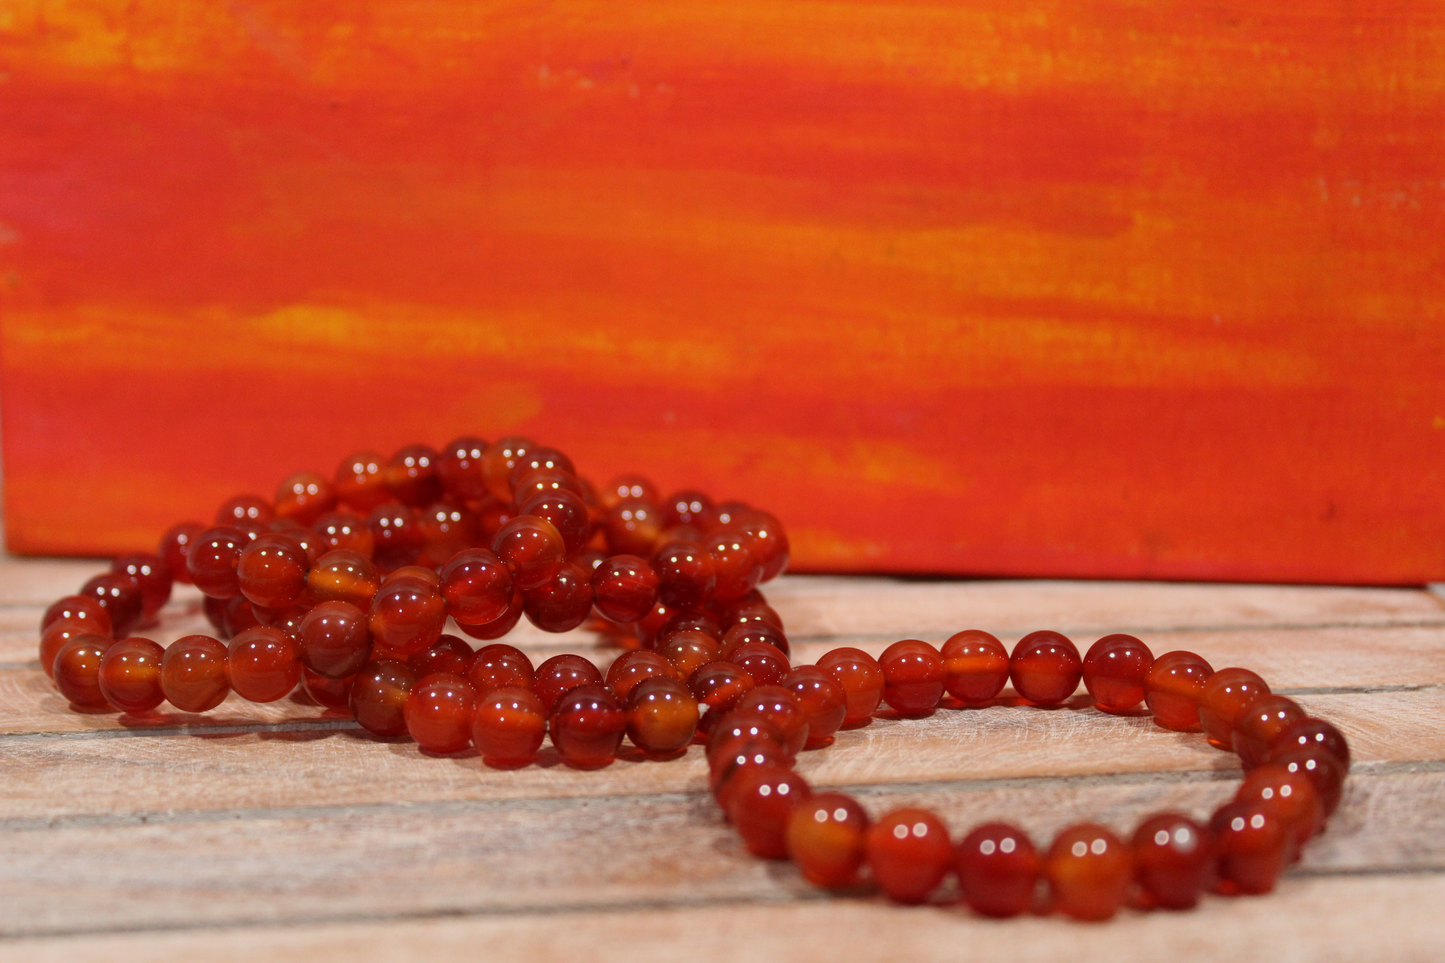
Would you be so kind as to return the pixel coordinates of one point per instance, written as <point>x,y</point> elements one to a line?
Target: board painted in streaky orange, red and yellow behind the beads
<point>1092,290</point>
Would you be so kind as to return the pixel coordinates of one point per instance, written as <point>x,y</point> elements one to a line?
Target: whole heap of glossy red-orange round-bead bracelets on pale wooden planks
<point>345,588</point>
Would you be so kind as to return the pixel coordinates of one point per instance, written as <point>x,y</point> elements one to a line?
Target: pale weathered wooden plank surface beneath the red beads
<point>284,834</point>
